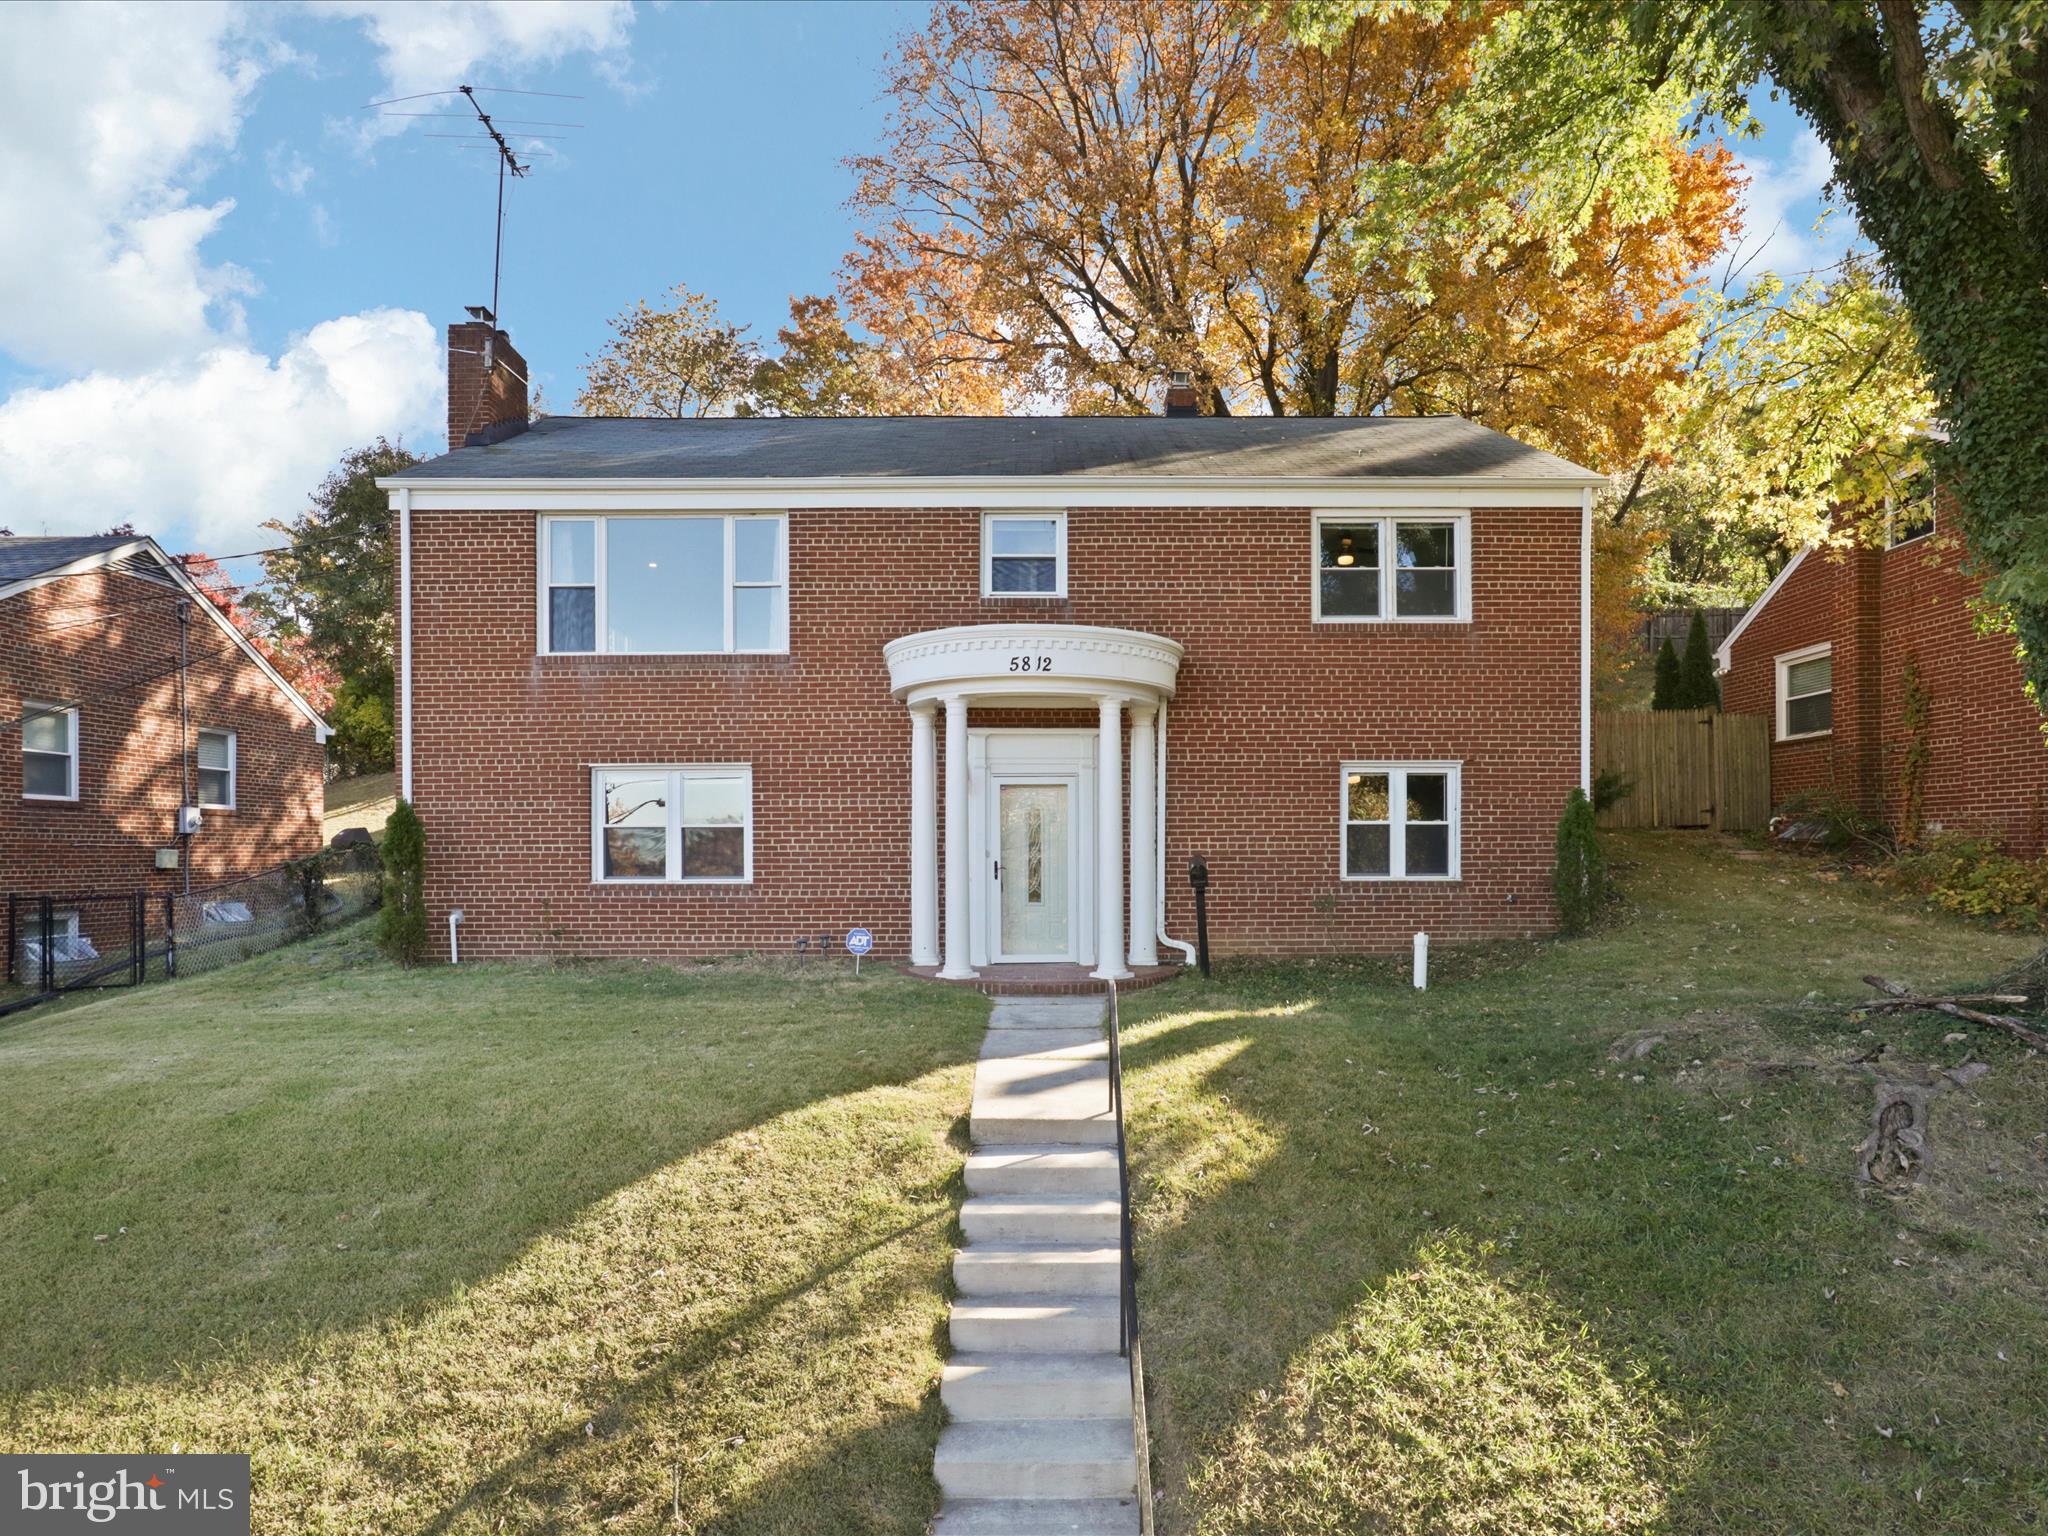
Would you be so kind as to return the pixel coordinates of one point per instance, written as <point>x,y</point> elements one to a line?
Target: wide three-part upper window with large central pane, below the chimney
<point>665,587</point>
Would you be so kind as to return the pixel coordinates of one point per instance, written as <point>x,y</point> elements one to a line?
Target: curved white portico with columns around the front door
<point>1035,843</point>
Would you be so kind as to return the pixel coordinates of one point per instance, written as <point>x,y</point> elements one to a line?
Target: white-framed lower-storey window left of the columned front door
<point>691,826</point>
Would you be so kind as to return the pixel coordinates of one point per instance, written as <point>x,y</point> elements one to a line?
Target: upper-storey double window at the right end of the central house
<point>1408,566</point>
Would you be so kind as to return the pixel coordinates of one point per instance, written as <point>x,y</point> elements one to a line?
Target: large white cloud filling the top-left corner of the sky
<point>105,116</point>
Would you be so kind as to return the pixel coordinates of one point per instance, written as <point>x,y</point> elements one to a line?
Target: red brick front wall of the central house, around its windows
<point>1269,710</point>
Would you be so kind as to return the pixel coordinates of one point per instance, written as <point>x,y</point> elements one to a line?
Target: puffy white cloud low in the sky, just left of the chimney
<point>222,441</point>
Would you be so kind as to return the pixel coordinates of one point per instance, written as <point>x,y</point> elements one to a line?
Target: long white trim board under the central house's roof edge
<point>515,495</point>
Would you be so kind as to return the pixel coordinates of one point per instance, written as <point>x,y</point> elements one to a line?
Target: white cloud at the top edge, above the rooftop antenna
<point>443,44</point>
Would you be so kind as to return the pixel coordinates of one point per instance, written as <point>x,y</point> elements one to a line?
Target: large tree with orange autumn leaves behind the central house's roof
<point>1078,196</point>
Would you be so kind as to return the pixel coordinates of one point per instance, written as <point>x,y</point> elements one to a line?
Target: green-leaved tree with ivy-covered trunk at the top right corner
<point>1936,118</point>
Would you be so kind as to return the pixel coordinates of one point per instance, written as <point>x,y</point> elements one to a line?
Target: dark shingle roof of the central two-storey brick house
<point>951,447</point>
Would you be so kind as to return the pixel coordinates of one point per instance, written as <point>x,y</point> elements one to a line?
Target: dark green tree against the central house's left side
<point>333,587</point>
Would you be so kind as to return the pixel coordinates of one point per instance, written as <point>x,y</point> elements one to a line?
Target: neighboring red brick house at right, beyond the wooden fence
<point>1826,650</point>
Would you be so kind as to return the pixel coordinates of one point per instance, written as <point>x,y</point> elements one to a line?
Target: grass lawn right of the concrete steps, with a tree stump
<point>1435,1263</point>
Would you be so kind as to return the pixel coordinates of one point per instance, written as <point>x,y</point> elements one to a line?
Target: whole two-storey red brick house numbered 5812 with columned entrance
<point>986,685</point>
